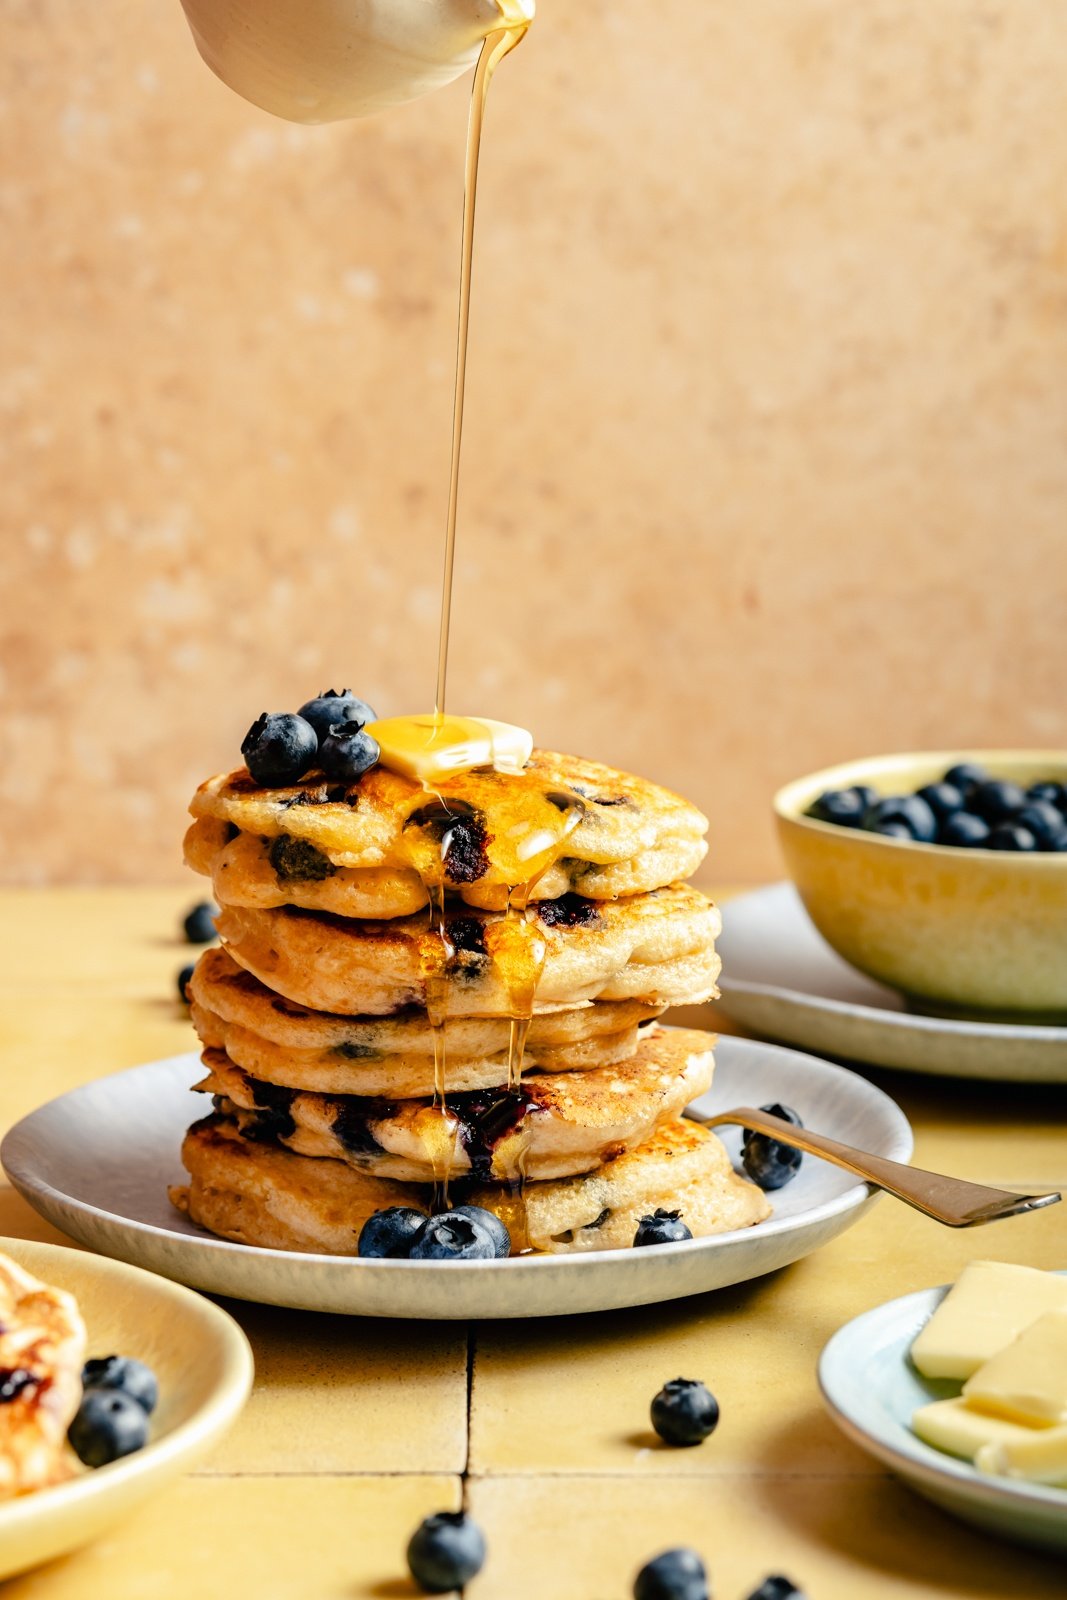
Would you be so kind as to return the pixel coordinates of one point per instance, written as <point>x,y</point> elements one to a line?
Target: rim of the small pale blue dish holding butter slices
<point>914,1457</point>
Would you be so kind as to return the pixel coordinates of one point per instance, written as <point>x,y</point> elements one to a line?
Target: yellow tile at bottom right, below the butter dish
<point>837,1538</point>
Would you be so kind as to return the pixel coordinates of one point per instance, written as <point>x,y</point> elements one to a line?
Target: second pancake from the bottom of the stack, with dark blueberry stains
<point>553,1126</point>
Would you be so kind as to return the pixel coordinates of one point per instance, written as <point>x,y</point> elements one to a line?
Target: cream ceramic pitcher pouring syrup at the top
<point>326,60</point>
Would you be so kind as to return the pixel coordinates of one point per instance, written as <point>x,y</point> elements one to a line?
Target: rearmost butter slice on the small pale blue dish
<point>986,1310</point>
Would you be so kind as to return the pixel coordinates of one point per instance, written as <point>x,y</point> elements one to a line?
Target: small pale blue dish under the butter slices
<point>873,1391</point>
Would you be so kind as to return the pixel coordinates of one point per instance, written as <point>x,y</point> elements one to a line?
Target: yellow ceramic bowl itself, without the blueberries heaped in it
<point>972,929</point>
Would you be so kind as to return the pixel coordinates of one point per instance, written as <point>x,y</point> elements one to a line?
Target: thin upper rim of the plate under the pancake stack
<point>901,1148</point>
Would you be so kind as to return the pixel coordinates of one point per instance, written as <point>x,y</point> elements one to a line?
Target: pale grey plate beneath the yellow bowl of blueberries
<point>781,978</point>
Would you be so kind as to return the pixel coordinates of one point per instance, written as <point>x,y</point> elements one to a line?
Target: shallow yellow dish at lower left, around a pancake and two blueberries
<point>204,1366</point>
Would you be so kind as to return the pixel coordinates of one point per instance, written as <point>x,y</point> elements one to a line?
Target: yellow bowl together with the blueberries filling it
<point>943,876</point>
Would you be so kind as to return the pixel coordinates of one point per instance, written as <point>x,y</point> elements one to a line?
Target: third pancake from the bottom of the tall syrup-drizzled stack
<point>282,1042</point>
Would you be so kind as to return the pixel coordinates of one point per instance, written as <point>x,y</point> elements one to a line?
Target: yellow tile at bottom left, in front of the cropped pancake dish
<point>266,1538</point>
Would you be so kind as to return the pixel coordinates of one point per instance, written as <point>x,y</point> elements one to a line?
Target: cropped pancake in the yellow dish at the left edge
<point>42,1351</point>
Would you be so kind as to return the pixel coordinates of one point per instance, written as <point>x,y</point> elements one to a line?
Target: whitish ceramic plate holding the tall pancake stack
<point>97,1164</point>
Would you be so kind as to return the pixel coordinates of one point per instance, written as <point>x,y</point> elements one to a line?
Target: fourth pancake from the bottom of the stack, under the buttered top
<point>655,948</point>
